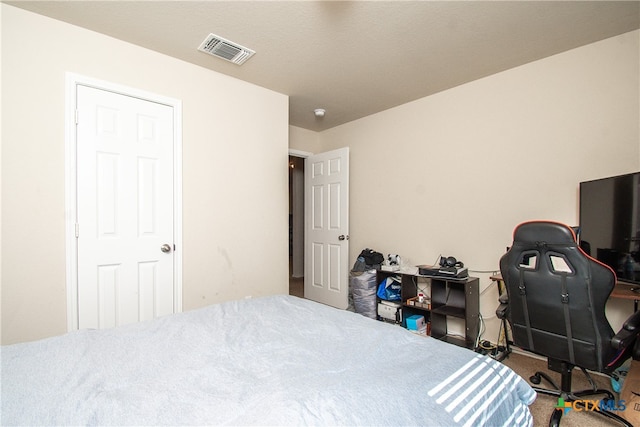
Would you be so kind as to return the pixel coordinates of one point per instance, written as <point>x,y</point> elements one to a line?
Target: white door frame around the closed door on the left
<point>72,81</point>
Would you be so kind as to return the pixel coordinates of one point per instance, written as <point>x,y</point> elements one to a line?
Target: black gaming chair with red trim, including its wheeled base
<point>556,300</point>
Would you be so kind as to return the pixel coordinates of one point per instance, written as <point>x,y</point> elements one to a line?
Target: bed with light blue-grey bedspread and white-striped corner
<point>278,360</point>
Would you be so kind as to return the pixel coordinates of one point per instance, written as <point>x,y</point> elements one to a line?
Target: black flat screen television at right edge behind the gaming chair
<point>610,223</point>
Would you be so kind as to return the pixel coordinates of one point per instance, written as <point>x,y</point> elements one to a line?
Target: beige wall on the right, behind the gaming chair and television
<point>453,173</point>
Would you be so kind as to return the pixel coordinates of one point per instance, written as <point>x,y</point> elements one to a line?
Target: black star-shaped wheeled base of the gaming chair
<point>577,397</point>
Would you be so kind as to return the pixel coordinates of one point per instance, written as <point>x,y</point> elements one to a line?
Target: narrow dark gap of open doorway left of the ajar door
<point>296,226</point>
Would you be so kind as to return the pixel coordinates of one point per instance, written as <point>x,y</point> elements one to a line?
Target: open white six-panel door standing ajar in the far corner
<point>326,277</point>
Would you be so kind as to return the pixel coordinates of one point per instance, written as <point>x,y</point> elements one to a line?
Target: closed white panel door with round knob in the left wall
<point>125,212</point>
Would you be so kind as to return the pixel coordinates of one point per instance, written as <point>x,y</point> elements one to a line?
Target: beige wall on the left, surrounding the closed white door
<point>234,175</point>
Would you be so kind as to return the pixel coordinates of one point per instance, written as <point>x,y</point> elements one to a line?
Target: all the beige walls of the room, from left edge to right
<point>449,174</point>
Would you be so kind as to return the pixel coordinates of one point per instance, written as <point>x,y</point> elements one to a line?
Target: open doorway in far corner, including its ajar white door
<point>319,201</point>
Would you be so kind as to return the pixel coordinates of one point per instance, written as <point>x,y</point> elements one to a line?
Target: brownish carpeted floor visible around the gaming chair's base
<point>542,408</point>
